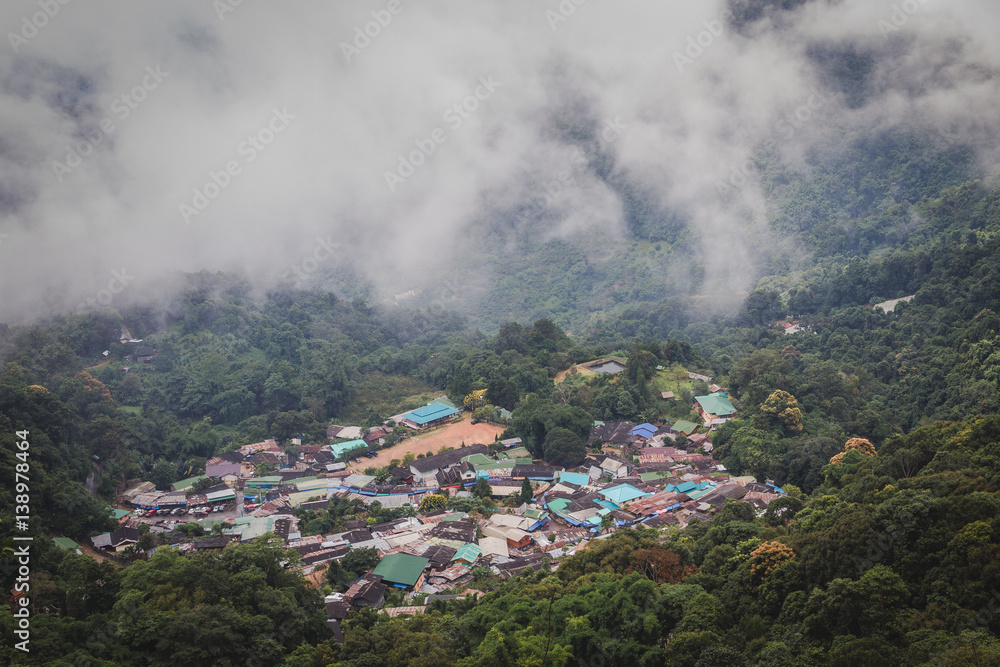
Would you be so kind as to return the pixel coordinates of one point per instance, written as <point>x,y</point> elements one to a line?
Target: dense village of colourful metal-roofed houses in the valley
<point>652,475</point>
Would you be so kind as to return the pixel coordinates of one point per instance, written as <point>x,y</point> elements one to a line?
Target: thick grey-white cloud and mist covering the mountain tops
<point>115,114</point>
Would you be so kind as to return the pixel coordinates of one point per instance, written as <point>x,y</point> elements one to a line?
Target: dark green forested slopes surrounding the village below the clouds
<point>875,559</point>
